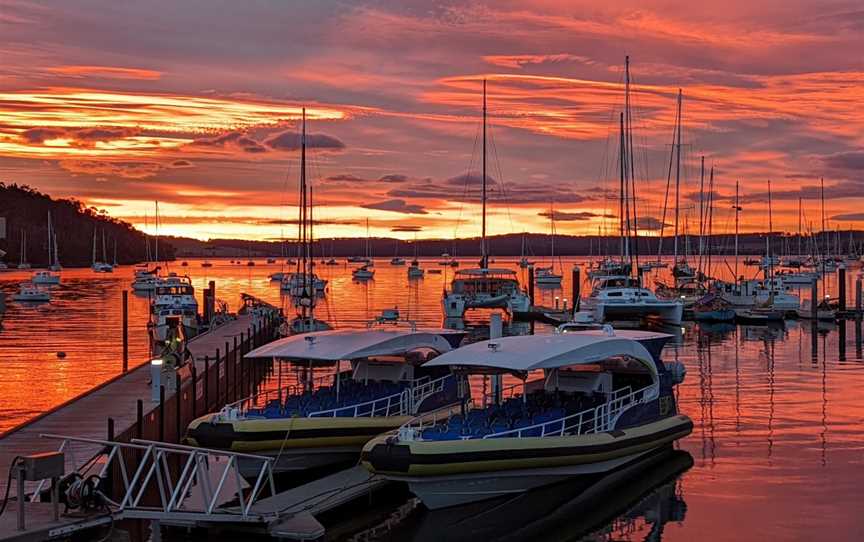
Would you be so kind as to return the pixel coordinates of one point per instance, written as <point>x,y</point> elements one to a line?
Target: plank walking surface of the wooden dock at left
<point>87,414</point>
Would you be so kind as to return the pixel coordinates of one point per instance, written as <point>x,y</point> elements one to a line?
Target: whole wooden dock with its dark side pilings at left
<point>219,376</point>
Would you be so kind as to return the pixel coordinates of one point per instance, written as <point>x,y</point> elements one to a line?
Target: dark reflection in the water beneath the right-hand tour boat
<point>641,497</point>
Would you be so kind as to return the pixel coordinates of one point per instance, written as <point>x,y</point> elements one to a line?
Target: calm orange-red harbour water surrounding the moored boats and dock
<point>777,451</point>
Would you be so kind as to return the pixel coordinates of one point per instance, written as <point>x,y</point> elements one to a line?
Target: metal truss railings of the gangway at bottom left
<point>198,469</point>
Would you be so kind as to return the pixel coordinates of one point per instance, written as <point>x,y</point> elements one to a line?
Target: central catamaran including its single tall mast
<point>483,287</point>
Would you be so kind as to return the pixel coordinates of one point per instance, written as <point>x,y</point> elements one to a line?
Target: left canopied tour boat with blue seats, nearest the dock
<point>373,382</point>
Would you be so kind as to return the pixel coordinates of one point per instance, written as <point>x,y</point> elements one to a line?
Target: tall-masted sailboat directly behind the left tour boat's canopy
<point>303,284</point>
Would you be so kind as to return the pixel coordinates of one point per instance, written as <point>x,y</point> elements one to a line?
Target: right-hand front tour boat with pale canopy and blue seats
<point>605,399</point>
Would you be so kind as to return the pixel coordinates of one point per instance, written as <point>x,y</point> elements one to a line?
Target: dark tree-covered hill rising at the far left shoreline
<point>26,210</point>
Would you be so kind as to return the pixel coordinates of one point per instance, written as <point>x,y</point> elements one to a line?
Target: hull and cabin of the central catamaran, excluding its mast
<point>485,288</point>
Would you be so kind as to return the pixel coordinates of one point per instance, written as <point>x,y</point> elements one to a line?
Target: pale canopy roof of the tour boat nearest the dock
<point>349,344</point>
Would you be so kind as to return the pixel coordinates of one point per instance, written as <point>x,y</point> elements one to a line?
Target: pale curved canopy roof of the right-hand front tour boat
<point>530,352</point>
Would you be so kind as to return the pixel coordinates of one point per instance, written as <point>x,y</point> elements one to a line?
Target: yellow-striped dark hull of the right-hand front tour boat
<point>449,473</point>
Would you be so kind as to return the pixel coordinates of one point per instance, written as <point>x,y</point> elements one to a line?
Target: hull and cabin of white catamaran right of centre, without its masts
<point>620,297</point>
